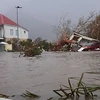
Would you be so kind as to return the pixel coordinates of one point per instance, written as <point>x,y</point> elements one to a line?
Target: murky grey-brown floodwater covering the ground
<point>42,74</point>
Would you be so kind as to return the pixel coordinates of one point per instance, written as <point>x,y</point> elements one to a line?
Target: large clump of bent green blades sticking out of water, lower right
<point>80,89</point>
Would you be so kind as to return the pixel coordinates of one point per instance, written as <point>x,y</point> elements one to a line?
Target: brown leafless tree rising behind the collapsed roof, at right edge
<point>89,26</point>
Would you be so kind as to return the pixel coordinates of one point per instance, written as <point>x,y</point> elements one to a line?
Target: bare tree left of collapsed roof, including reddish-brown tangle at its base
<point>63,32</point>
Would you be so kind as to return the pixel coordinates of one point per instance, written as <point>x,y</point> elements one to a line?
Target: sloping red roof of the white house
<point>6,21</point>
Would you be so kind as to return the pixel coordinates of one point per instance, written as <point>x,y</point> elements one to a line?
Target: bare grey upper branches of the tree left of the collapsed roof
<point>63,30</point>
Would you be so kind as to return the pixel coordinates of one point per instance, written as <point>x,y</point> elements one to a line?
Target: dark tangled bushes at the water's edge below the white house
<point>30,48</point>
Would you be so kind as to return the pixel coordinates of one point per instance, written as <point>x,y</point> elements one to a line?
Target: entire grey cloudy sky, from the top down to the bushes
<point>40,15</point>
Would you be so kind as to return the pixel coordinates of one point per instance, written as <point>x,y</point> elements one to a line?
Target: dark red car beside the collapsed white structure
<point>94,46</point>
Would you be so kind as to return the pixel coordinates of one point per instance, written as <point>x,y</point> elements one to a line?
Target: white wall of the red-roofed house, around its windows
<point>22,34</point>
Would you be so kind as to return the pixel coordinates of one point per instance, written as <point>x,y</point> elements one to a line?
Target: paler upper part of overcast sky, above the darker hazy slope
<point>50,11</point>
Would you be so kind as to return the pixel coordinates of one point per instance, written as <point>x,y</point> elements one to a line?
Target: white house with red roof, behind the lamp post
<point>8,29</point>
